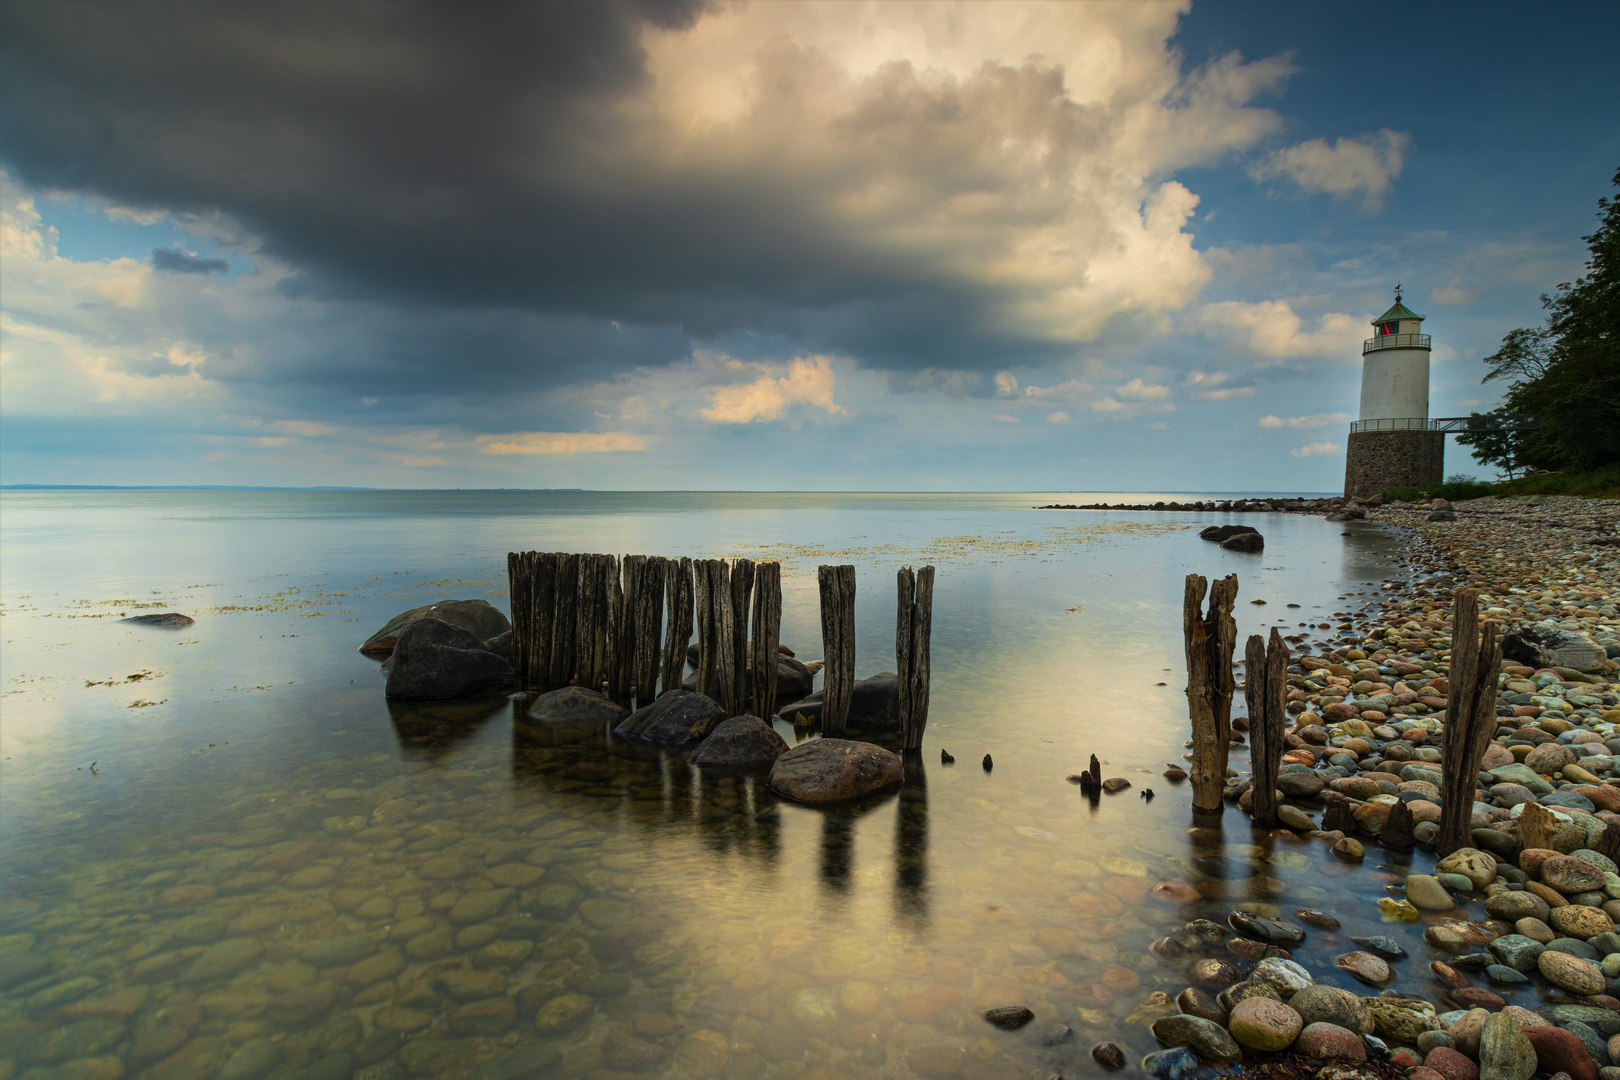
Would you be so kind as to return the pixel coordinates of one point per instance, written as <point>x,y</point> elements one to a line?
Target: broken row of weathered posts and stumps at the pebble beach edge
<point>1470,715</point>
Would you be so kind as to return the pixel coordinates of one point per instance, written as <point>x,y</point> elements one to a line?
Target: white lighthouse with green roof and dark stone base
<point>1394,443</point>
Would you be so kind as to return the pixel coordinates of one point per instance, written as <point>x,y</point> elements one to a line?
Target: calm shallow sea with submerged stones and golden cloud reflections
<point>228,856</point>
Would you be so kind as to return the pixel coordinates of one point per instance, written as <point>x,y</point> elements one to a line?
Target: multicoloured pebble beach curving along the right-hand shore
<point>1530,908</point>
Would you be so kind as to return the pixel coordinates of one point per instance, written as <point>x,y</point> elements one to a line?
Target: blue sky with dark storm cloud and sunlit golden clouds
<point>842,247</point>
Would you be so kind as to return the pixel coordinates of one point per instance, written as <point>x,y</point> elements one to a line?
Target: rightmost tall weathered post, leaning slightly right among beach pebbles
<point>1470,720</point>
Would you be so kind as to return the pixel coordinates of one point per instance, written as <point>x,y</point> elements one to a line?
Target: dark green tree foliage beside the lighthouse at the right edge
<point>1567,376</point>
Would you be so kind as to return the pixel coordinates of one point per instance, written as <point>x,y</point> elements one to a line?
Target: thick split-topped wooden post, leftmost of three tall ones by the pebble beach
<point>1211,640</point>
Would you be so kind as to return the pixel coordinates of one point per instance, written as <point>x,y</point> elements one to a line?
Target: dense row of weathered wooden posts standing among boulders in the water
<point>595,621</point>
